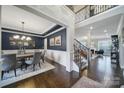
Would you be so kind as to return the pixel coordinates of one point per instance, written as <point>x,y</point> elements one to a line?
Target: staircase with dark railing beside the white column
<point>81,55</point>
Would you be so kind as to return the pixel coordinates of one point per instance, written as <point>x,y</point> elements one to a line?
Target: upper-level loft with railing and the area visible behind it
<point>84,12</point>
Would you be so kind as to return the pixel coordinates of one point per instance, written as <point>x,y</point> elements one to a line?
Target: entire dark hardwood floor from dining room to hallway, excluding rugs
<point>100,70</point>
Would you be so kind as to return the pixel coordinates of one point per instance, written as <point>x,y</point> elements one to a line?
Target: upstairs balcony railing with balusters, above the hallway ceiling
<point>91,10</point>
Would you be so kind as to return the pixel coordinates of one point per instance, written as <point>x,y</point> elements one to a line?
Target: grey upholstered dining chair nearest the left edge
<point>9,63</point>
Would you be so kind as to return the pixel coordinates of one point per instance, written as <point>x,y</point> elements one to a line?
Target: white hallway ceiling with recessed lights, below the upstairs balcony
<point>109,24</point>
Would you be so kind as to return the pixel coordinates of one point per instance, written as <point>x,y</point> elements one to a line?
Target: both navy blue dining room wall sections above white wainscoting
<point>39,41</point>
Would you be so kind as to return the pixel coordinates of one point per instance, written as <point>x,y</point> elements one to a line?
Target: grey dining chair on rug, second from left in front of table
<point>35,60</point>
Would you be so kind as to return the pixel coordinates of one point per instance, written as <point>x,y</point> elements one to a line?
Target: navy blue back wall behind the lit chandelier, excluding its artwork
<point>39,42</point>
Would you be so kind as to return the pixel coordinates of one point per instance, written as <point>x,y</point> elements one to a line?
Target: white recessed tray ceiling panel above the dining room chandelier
<point>12,17</point>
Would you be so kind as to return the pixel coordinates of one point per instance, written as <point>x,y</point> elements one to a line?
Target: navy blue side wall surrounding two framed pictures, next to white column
<point>63,40</point>
